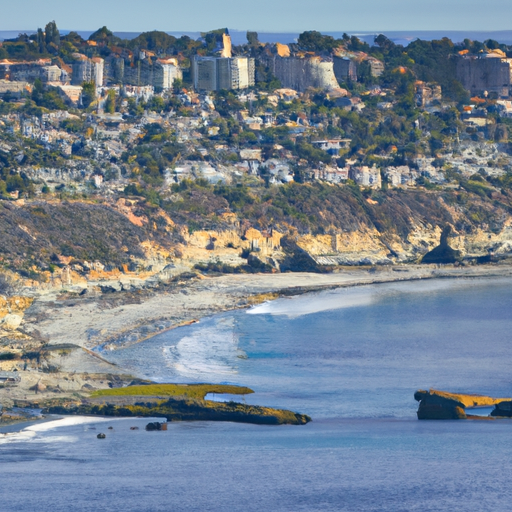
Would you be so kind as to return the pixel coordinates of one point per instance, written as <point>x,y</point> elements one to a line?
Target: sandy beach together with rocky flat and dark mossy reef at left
<point>58,352</point>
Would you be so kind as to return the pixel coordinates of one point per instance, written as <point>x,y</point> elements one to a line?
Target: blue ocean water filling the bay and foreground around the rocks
<point>351,359</point>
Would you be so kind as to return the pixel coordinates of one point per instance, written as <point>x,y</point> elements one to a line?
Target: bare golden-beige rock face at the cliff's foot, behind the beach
<point>364,245</point>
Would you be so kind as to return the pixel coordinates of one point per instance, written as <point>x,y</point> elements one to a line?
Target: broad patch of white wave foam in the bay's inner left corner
<point>211,349</point>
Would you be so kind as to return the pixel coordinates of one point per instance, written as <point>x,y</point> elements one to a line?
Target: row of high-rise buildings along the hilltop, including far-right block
<point>486,73</point>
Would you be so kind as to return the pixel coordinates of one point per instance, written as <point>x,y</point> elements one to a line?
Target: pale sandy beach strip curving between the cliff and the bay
<point>118,320</point>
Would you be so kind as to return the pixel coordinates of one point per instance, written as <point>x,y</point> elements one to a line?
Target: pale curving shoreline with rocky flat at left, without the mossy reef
<point>117,321</point>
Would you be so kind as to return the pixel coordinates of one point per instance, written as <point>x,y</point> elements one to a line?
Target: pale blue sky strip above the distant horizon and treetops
<point>259,15</point>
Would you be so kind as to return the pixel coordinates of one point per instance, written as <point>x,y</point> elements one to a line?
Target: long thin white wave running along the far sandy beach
<point>352,297</point>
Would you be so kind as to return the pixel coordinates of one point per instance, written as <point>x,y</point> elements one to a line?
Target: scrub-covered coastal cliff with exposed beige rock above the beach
<point>51,244</point>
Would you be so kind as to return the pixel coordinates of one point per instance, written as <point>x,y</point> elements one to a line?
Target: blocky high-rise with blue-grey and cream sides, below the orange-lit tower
<point>214,73</point>
